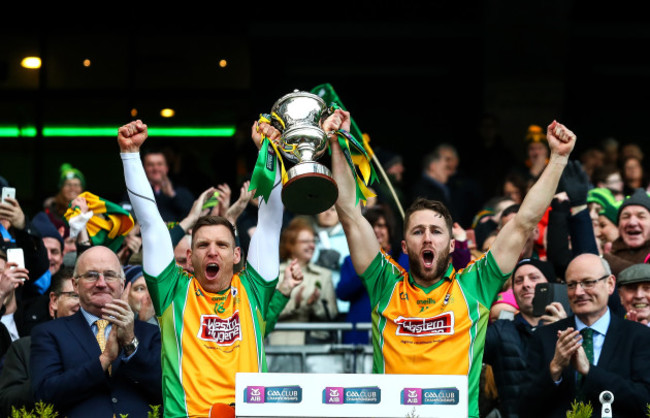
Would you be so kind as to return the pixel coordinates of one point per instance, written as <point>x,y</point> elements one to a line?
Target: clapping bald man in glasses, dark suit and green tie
<point>566,364</point>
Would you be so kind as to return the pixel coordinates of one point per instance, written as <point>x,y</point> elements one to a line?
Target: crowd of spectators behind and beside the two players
<point>599,220</point>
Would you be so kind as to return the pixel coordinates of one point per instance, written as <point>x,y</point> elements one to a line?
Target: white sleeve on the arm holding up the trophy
<point>264,248</point>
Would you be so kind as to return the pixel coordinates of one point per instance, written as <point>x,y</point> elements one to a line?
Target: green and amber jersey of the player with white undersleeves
<point>208,337</point>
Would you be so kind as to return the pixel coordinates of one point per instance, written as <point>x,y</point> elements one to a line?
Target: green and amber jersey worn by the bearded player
<point>435,330</point>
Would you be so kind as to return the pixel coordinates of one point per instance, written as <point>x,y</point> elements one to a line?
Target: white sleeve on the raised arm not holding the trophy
<point>157,250</point>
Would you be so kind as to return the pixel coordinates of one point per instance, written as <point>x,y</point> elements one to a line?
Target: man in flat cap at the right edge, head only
<point>634,290</point>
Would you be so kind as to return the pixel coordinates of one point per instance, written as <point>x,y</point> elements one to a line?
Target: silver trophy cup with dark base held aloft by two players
<point>310,188</point>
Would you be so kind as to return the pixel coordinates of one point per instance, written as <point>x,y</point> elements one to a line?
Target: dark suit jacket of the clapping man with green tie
<point>623,368</point>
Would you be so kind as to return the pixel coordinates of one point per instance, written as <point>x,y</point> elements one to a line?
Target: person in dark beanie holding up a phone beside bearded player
<point>506,343</point>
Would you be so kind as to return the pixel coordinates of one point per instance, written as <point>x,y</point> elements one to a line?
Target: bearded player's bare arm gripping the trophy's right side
<point>358,231</point>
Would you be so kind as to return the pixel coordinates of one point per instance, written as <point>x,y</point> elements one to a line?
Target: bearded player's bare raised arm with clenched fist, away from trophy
<point>510,242</point>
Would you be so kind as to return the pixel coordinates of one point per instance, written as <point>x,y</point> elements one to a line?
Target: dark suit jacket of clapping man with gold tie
<point>66,371</point>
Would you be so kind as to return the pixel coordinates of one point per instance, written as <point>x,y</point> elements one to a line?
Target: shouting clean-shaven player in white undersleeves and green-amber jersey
<point>212,322</point>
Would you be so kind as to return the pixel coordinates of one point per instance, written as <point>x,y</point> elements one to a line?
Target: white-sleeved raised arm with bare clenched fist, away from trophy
<point>156,243</point>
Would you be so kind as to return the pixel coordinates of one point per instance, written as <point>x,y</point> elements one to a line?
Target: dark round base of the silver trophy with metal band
<point>310,189</point>
